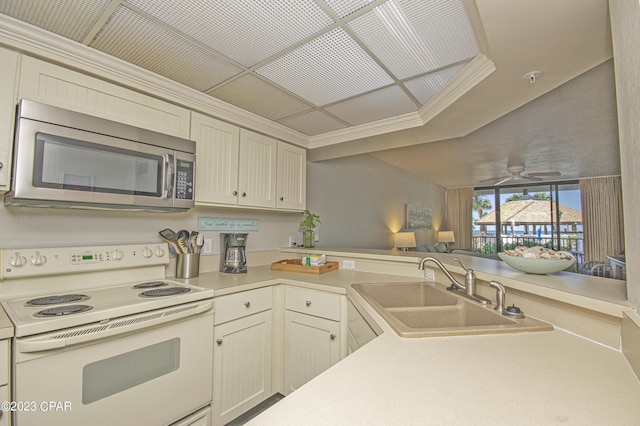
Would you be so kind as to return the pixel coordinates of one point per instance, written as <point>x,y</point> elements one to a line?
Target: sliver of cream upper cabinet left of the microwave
<point>8,72</point>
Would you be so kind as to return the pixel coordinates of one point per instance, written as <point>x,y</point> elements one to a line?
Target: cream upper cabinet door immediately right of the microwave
<point>217,149</point>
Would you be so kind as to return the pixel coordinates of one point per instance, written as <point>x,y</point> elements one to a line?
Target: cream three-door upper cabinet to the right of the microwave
<point>238,167</point>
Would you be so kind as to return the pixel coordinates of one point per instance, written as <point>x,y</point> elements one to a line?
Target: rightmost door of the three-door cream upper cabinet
<point>292,177</point>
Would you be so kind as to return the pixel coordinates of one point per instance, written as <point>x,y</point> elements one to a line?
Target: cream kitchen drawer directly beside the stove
<point>241,304</point>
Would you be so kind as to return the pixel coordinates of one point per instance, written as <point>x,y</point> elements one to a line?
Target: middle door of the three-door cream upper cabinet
<point>257,170</point>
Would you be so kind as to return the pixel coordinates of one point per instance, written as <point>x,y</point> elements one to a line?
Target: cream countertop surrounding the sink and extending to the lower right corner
<point>530,379</point>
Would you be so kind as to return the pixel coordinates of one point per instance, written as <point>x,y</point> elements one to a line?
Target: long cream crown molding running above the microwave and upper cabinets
<point>51,47</point>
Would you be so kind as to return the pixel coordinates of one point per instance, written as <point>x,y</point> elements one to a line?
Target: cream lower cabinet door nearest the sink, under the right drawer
<point>312,345</point>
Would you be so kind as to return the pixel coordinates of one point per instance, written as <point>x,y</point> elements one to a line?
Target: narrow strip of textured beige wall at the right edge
<point>625,28</point>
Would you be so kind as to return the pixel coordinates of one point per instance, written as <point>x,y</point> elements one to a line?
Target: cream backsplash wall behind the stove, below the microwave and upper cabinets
<point>39,227</point>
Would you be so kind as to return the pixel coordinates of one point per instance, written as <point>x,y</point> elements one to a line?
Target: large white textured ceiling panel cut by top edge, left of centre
<point>247,32</point>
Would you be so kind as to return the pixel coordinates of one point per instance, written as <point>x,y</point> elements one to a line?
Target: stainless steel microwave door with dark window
<point>68,165</point>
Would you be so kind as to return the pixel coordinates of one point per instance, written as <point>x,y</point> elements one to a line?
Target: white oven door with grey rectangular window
<point>155,376</point>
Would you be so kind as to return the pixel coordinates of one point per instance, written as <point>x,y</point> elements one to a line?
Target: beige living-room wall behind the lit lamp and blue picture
<point>362,200</point>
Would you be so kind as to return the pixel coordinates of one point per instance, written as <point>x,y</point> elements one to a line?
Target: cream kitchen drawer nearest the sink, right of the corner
<point>312,302</point>
